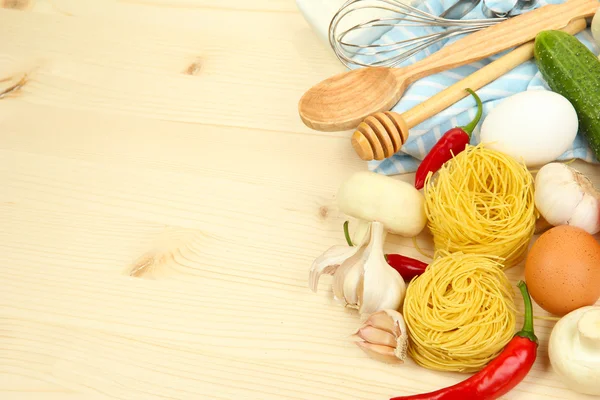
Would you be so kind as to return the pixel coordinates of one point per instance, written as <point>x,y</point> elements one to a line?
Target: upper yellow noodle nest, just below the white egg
<point>482,202</point>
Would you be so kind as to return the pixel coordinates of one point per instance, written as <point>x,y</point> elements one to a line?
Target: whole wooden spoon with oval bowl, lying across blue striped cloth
<point>344,100</point>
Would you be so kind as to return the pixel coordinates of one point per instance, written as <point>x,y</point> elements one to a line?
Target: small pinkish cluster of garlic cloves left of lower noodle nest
<point>384,337</point>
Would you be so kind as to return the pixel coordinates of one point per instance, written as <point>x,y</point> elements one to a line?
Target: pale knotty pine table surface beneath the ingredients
<point>161,204</point>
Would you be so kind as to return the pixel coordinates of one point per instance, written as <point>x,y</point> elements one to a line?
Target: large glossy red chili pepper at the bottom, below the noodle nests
<point>502,374</point>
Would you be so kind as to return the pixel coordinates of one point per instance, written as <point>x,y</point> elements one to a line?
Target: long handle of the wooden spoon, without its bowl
<point>499,37</point>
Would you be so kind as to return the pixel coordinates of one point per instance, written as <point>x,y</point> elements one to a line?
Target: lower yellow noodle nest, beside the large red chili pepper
<point>460,313</point>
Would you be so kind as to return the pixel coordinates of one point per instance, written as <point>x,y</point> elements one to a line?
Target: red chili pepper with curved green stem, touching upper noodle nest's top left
<point>453,142</point>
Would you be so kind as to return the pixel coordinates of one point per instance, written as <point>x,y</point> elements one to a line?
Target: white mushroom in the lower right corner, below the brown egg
<point>574,350</point>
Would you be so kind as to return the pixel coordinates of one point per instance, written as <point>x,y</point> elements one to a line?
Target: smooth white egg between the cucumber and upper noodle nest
<point>535,126</point>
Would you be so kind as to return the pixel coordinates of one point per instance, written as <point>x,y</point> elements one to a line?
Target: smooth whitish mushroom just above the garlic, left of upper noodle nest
<point>397,204</point>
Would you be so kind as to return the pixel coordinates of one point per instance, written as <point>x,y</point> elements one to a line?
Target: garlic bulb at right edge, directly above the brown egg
<point>564,196</point>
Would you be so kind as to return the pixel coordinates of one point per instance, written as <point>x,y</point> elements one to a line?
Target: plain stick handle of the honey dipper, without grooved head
<point>478,79</point>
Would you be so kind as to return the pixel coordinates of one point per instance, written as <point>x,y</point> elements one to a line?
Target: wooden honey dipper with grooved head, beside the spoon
<point>382,134</point>
